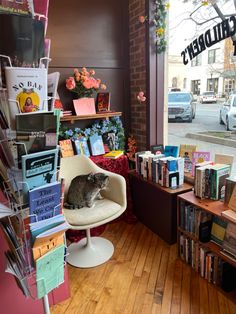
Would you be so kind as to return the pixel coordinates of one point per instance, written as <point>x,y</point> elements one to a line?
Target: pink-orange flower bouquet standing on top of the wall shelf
<point>83,83</point>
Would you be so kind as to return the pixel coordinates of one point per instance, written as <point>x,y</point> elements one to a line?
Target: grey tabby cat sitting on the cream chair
<point>84,189</point>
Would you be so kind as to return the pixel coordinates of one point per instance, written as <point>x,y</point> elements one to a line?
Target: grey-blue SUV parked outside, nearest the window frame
<point>181,106</point>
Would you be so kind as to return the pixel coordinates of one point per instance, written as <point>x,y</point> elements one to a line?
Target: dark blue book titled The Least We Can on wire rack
<point>45,201</point>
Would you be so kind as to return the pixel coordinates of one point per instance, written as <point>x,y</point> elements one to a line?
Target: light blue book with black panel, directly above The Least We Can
<point>39,168</point>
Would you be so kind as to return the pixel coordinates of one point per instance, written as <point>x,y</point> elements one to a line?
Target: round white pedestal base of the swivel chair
<point>91,254</point>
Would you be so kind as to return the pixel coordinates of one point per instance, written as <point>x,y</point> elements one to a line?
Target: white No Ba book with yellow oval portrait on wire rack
<point>27,90</point>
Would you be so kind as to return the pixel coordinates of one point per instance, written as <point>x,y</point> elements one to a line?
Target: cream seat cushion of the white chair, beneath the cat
<point>102,209</point>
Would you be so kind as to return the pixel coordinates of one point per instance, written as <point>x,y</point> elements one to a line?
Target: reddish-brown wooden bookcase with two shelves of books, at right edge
<point>195,246</point>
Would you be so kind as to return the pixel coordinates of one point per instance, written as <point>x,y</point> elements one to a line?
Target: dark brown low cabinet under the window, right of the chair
<point>156,206</point>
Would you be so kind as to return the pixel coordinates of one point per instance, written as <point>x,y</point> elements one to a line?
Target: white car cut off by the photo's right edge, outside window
<point>228,113</point>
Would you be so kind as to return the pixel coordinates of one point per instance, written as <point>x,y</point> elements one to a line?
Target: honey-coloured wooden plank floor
<point>144,276</point>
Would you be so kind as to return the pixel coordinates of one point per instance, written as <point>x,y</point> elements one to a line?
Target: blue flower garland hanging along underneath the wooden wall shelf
<point>114,124</point>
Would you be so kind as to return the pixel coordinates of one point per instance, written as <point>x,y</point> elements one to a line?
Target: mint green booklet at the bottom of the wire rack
<point>50,271</point>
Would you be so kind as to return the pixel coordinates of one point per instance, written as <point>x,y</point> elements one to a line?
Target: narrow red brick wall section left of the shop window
<point>137,72</point>
